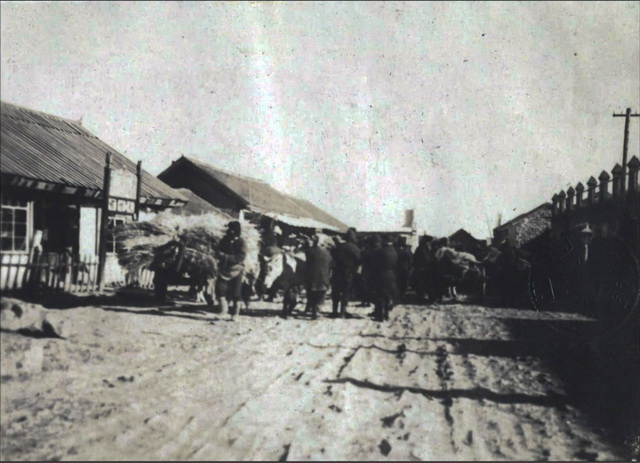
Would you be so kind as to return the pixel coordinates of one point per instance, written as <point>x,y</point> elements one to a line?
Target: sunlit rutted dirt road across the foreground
<point>446,382</point>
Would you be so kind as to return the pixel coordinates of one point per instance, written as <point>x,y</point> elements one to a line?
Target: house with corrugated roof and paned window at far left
<point>52,174</point>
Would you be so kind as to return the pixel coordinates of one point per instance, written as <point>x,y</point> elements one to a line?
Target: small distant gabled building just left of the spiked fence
<point>525,227</point>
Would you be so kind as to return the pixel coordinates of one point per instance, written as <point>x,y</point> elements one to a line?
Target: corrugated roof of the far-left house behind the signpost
<point>41,146</point>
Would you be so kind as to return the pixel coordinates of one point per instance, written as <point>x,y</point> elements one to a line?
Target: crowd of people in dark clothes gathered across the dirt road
<point>377,271</point>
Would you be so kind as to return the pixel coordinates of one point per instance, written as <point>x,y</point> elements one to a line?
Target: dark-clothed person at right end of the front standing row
<point>385,265</point>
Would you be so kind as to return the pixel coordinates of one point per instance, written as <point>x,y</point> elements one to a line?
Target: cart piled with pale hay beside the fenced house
<point>181,250</point>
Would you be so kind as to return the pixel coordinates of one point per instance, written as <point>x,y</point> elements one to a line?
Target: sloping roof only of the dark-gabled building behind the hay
<point>259,196</point>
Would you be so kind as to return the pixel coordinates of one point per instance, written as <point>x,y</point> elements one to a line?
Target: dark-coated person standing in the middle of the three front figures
<point>346,259</point>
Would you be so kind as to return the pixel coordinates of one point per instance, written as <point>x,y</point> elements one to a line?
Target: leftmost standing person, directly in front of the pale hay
<point>231,255</point>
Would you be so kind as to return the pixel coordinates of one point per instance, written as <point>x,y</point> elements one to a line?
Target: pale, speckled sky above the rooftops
<point>460,111</point>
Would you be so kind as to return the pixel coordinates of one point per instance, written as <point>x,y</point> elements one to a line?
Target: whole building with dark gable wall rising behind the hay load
<point>238,194</point>
